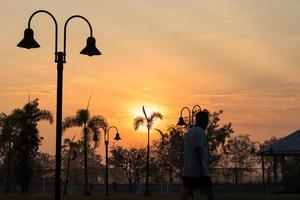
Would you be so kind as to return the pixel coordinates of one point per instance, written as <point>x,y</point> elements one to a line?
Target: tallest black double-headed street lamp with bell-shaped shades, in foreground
<point>29,42</point>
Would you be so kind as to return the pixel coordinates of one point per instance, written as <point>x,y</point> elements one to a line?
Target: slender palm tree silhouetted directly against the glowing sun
<point>148,122</point>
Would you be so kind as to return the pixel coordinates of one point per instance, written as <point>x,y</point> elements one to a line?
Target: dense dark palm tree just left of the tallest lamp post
<point>27,138</point>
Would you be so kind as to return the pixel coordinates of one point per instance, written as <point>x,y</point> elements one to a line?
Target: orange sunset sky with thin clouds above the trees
<point>240,56</point>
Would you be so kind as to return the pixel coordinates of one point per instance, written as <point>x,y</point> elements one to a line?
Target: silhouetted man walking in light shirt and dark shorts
<point>195,168</point>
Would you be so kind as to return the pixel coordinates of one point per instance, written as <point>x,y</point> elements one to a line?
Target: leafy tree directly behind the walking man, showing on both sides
<point>171,148</point>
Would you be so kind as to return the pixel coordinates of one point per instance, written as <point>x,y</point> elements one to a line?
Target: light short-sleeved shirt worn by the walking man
<point>195,138</point>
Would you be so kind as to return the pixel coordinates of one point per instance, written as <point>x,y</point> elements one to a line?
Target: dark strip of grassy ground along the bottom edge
<point>123,196</point>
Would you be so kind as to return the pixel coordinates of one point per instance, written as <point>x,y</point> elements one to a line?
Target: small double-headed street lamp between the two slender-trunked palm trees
<point>106,142</point>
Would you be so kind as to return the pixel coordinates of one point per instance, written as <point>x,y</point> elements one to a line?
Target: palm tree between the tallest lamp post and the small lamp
<point>91,126</point>
